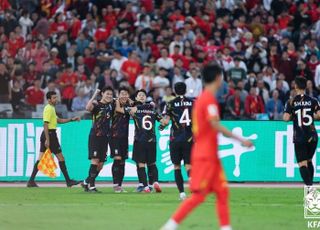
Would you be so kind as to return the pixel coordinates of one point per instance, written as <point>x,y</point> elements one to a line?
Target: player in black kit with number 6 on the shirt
<point>144,147</point>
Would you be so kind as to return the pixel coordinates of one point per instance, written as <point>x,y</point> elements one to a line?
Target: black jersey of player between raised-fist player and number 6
<point>120,125</point>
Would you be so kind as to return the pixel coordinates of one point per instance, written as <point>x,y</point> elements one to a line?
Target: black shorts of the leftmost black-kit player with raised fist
<point>98,148</point>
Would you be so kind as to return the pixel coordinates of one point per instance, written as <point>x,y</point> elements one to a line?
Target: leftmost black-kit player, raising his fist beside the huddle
<point>100,133</point>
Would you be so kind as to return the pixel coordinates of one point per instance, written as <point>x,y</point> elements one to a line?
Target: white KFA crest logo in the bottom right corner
<point>312,206</point>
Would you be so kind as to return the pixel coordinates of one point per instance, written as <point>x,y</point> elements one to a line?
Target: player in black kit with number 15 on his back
<point>302,109</point>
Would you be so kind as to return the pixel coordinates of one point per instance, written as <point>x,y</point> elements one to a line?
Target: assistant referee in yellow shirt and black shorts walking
<point>49,139</point>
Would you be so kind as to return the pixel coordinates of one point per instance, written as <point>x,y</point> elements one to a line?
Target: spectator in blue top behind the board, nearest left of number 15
<point>275,106</point>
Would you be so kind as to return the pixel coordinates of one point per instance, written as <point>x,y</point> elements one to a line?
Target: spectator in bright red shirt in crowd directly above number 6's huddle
<point>131,68</point>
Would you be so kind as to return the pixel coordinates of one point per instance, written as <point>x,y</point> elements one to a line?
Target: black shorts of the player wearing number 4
<point>180,151</point>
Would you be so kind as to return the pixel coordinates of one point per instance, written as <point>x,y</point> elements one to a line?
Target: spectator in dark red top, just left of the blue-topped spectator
<point>253,104</point>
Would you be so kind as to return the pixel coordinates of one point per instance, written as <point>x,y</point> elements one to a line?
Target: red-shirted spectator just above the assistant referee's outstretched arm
<point>68,81</point>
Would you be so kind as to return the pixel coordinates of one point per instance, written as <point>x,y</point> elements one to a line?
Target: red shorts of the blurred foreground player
<point>207,177</point>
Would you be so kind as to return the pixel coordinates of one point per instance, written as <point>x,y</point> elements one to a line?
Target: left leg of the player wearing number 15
<point>302,159</point>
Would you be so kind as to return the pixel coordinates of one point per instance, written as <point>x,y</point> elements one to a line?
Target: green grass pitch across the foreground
<point>73,209</point>
